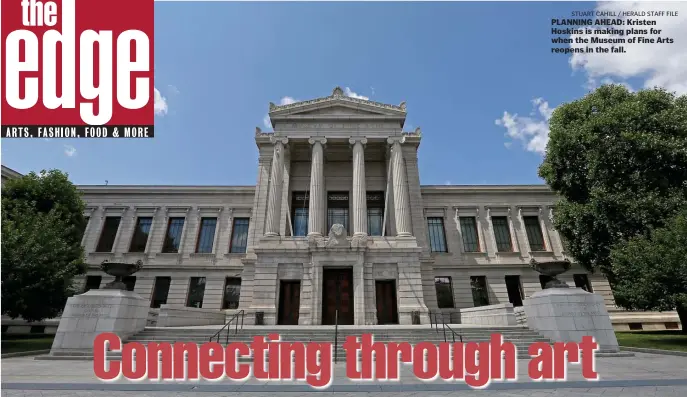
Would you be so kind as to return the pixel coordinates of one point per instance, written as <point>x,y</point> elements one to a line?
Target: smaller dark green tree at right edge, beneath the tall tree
<point>652,270</point>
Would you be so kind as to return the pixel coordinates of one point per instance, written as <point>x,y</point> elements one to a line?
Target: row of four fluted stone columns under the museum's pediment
<point>318,195</point>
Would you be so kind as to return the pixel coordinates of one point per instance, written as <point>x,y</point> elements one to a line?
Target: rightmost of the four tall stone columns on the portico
<point>401,209</point>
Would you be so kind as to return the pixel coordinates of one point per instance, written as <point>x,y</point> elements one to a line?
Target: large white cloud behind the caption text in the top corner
<point>657,64</point>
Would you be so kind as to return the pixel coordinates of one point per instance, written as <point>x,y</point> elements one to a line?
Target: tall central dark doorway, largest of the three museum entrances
<point>337,295</point>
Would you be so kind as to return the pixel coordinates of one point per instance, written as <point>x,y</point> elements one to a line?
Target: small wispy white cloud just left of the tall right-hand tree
<point>532,131</point>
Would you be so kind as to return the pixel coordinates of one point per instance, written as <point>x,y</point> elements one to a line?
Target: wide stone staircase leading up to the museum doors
<point>520,336</point>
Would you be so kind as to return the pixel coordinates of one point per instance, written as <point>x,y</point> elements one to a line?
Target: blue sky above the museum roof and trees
<point>459,67</point>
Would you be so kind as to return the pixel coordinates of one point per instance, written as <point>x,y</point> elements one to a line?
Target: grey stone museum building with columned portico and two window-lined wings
<point>337,229</point>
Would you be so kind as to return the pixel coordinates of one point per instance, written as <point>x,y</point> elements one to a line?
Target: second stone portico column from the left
<point>316,219</point>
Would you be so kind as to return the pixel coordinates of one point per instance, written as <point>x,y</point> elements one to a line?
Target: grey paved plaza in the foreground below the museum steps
<point>642,375</point>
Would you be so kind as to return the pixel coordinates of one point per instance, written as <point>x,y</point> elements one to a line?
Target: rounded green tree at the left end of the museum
<point>42,227</point>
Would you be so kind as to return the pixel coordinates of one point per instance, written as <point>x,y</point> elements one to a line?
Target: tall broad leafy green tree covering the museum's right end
<point>618,161</point>
